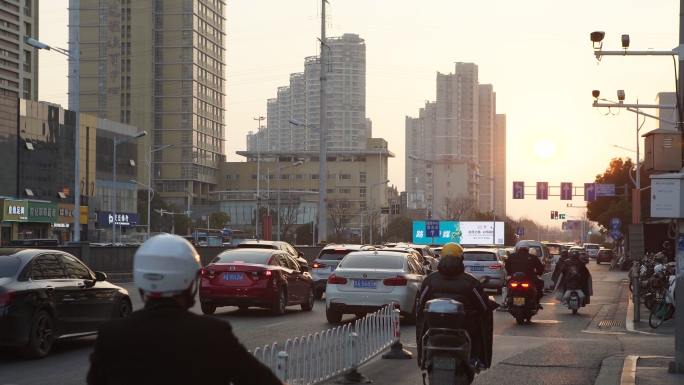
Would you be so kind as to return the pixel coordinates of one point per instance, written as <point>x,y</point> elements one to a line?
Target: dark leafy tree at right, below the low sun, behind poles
<point>605,208</point>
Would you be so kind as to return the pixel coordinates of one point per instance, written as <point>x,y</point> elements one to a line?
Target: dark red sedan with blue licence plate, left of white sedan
<point>264,278</point>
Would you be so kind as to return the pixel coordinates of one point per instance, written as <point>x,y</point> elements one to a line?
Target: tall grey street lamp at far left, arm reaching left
<point>75,56</point>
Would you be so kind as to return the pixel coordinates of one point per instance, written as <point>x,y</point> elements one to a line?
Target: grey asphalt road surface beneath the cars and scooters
<point>556,348</point>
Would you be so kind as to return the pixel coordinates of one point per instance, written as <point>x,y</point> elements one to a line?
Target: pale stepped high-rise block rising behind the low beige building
<point>345,123</point>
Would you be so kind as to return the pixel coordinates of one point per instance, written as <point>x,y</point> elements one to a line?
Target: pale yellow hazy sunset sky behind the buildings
<point>536,53</point>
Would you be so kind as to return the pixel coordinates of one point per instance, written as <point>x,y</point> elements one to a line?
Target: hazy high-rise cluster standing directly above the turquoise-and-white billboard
<point>458,134</point>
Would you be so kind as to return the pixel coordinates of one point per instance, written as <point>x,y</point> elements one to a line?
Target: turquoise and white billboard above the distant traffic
<point>469,233</point>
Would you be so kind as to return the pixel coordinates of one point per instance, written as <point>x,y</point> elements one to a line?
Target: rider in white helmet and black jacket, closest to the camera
<point>164,343</point>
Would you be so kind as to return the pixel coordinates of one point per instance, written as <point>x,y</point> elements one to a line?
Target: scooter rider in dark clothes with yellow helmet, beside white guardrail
<point>451,281</point>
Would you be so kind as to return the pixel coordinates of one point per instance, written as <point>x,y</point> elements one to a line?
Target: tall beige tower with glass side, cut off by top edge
<point>159,66</point>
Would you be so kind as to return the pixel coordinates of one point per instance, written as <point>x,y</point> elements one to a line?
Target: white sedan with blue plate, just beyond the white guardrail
<point>365,281</point>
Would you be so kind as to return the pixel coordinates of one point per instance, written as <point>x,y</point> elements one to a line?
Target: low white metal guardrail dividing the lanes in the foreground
<point>315,358</point>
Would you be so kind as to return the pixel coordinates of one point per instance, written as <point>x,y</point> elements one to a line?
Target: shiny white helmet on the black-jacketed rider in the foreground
<point>165,266</point>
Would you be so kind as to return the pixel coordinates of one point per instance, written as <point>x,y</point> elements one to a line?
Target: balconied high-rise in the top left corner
<point>18,60</point>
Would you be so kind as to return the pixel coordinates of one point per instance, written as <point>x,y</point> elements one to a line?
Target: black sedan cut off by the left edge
<point>48,295</point>
